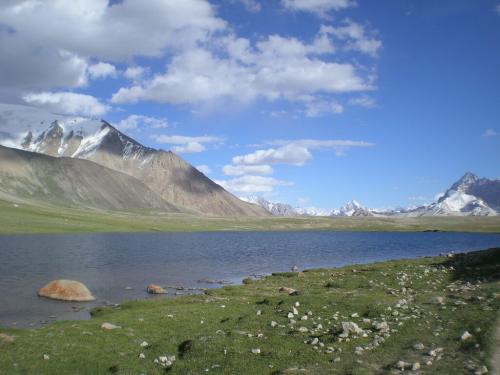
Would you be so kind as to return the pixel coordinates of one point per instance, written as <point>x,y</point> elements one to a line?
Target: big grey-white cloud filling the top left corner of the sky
<point>46,45</point>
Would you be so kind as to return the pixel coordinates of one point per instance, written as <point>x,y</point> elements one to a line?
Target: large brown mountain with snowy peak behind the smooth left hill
<point>163,172</point>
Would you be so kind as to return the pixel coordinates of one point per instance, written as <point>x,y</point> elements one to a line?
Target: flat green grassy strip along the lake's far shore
<point>26,218</point>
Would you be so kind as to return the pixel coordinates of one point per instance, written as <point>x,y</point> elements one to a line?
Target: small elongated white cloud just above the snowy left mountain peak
<point>68,103</point>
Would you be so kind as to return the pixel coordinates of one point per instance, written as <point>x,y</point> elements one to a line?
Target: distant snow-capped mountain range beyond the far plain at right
<point>469,196</point>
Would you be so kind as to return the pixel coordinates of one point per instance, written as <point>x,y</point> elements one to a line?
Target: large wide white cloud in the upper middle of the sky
<point>274,68</point>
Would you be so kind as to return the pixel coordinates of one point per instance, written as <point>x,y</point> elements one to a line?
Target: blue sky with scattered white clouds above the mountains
<point>308,102</point>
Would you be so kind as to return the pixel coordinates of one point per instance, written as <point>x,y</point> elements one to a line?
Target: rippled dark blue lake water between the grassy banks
<point>107,263</point>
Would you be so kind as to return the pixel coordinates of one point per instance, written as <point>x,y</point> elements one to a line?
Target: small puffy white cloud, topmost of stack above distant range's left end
<point>290,154</point>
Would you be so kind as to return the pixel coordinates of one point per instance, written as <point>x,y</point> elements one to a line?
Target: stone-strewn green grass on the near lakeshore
<point>215,333</point>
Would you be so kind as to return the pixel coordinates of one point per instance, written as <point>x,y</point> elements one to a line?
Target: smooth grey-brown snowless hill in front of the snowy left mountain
<point>72,182</point>
